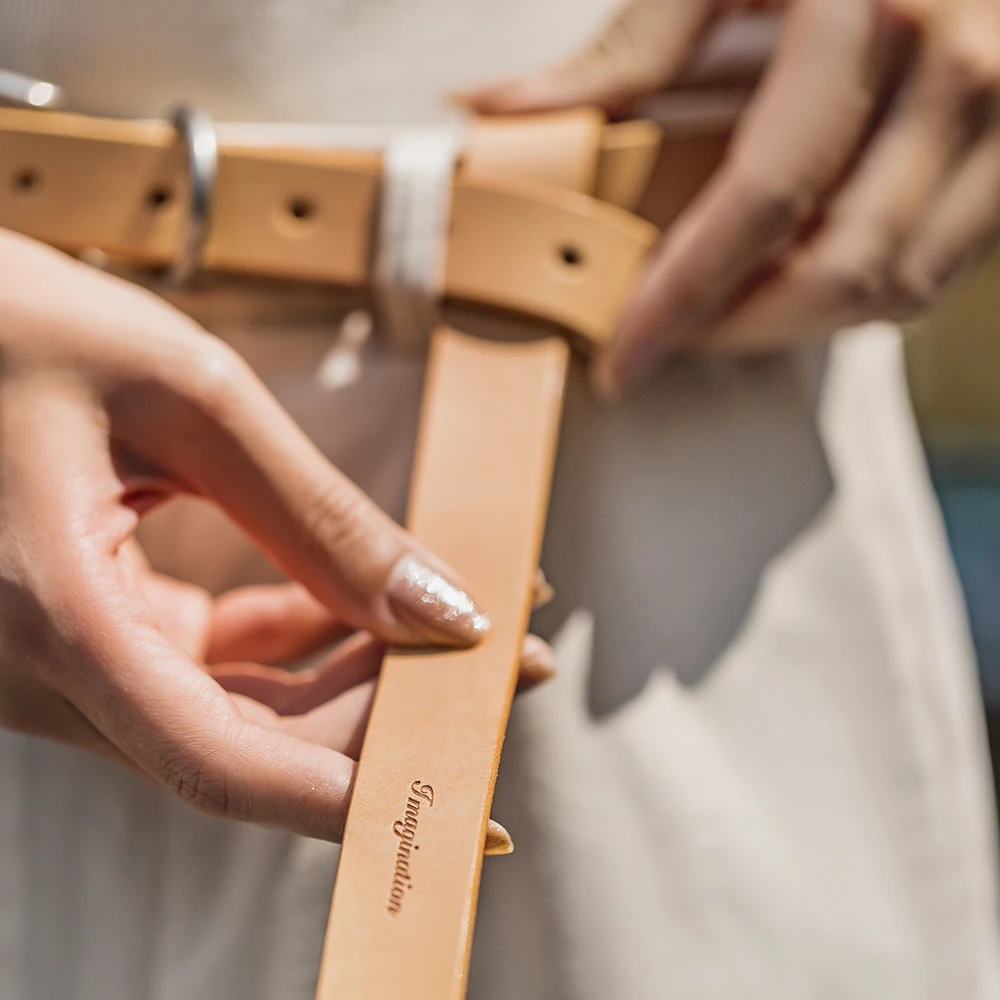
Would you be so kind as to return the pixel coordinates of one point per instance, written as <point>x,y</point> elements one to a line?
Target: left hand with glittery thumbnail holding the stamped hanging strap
<point>109,402</point>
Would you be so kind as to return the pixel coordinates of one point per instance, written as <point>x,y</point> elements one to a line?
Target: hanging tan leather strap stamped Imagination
<point>405,896</point>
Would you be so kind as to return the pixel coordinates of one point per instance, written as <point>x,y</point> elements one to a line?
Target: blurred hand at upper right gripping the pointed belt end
<point>864,173</point>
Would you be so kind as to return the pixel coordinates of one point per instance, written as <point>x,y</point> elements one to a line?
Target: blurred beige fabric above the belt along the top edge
<point>366,61</point>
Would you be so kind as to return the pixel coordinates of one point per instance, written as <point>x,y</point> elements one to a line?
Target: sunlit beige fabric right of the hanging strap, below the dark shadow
<point>797,804</point>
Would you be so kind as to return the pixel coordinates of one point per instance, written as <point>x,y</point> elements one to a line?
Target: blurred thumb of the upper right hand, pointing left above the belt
<point>641,50</point>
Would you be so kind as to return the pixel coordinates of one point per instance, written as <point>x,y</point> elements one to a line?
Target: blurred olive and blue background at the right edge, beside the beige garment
<point>954,370</point>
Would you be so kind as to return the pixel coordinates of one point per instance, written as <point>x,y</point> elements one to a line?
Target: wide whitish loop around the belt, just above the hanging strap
<point>413,232</point>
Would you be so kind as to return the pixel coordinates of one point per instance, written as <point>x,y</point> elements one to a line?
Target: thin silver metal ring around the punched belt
<point>196,131</point>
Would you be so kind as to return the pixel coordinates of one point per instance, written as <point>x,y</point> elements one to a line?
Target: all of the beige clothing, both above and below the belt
<point>731,791</point>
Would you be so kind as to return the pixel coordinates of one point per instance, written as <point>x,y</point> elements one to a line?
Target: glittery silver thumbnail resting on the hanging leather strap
<point>434,607</point>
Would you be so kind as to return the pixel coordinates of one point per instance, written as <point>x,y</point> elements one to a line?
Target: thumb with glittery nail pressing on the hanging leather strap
<point>208,420</point>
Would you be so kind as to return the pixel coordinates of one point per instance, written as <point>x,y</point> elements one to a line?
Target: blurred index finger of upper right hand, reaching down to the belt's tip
<point>799,133</point>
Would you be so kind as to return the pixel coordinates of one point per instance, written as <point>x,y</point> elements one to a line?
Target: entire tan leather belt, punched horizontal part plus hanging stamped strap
<point>527,235</point>
